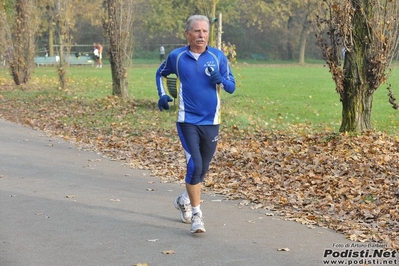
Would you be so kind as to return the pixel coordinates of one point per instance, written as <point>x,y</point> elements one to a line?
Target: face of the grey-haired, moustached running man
<point>198,36</point>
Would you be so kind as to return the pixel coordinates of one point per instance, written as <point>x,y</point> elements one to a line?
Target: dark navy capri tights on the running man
<point>199,143</point>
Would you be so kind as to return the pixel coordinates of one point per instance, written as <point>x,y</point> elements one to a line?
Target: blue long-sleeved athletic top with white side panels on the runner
<point>198,99</point>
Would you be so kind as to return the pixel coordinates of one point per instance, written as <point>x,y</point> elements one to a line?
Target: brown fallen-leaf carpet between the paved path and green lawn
<point>348,183</point>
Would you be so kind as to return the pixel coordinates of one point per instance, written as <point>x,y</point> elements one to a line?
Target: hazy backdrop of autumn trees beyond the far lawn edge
<point>282,30</point>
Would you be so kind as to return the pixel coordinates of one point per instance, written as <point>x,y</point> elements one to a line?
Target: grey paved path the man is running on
<point>64,207</point>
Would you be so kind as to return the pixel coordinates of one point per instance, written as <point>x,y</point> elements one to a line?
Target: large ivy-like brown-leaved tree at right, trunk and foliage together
<point>367,31</point>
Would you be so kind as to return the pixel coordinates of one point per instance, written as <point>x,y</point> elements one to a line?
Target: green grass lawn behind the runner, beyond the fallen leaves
<point>269,96</point>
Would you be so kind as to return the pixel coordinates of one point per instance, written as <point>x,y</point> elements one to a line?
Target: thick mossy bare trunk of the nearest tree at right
<point>357,96</point>
